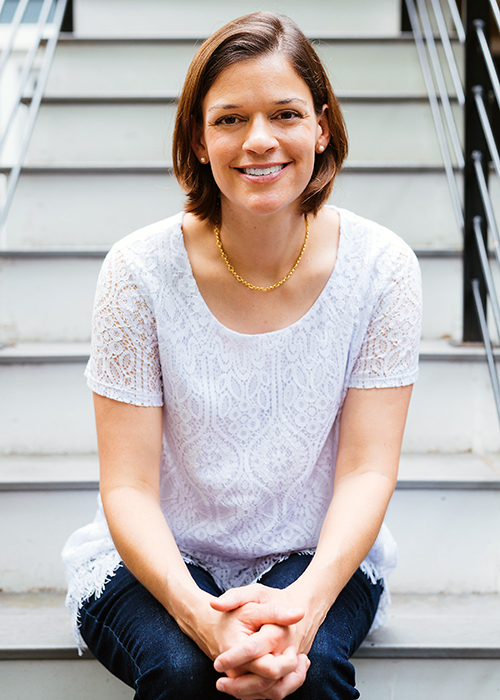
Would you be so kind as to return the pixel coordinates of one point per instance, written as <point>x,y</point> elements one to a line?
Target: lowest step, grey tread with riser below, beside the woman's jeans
<point>439,646</point>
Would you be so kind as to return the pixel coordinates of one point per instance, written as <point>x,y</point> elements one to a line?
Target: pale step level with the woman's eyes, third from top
<point>124,128</point>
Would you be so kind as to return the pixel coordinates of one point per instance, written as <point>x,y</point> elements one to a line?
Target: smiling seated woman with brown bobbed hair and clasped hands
<point>252,363</point>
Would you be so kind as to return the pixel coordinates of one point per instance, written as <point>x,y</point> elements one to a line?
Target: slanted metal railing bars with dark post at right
<point>486,288</point>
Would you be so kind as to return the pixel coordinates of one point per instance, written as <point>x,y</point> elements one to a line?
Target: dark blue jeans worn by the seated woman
<point>131,633</point>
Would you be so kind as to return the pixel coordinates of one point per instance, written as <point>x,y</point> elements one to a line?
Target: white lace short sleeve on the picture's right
<point>390,349</point>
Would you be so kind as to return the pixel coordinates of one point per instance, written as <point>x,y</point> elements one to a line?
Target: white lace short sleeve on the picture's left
<point>124,360</point>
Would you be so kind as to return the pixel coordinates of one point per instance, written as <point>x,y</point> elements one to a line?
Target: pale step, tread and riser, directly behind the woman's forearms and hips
<point>445,516</point>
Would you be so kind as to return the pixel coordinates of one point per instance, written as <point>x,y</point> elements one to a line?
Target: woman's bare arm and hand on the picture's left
<point>130,442</point>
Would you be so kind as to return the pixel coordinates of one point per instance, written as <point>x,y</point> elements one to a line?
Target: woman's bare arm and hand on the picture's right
<point>371,431</point>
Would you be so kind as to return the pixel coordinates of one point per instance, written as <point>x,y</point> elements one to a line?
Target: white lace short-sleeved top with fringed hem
<point>250,421</point>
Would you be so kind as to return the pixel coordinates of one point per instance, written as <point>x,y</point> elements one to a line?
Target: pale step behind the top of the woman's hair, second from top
<point>121,65</point>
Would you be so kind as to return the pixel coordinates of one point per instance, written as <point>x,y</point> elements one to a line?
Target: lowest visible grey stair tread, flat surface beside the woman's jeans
<point>468,626</point>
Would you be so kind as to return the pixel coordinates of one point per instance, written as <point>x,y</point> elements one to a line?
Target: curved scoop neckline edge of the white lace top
<point>291,326</point>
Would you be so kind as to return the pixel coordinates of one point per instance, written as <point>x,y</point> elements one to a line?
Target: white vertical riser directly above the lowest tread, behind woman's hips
<point>448,539</point>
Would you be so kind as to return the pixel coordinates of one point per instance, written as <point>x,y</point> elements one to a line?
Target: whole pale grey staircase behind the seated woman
<point>97,169</point>
